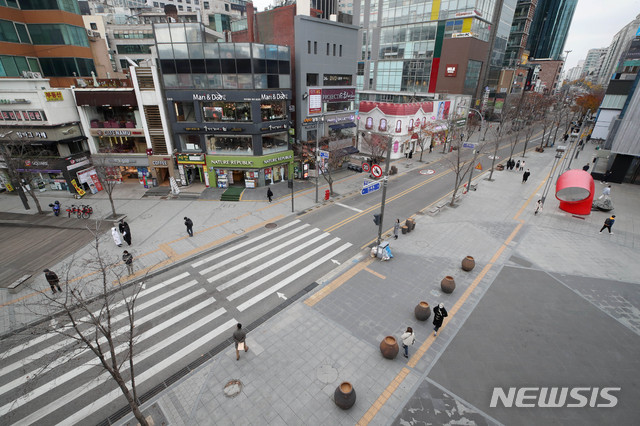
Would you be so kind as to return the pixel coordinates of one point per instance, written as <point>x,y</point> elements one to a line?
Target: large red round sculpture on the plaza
<point>575,190</point>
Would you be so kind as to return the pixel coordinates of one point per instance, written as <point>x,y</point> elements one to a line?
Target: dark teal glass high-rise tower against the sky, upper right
<point>549,28</point>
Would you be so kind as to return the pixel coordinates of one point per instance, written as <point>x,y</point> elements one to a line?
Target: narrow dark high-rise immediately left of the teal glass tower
<point>517,52</point>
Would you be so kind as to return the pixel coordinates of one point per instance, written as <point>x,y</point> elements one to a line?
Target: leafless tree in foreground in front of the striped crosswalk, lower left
<point>92,316</point>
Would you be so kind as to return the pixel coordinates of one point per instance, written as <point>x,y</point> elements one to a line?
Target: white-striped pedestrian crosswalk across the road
<point>53,378</point>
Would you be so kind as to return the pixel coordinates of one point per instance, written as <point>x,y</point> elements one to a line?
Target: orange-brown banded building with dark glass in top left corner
<point>45,38</point>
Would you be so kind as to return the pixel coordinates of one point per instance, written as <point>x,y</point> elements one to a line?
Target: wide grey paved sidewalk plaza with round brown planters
<point>545,327</point>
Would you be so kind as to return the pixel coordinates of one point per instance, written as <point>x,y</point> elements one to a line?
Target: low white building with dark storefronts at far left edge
<point>40,127</point>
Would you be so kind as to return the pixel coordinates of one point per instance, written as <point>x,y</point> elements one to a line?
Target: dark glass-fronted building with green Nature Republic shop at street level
<point>228,106</point>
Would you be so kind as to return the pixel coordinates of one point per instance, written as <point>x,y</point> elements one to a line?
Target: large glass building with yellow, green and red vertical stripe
<point>430,47</point>
